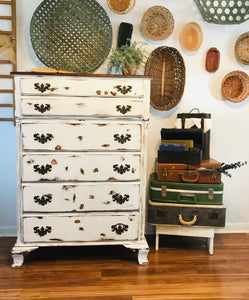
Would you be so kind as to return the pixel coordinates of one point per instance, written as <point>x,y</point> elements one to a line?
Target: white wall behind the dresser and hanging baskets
<point>229,135</point>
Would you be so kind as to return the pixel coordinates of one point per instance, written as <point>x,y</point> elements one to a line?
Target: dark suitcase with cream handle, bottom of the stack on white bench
<point>186,214</point>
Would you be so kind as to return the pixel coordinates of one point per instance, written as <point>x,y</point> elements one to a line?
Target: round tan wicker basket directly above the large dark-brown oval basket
<point>157,23</point>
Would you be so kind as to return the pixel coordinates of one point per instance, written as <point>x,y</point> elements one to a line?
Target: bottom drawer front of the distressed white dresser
<point>88,227</point>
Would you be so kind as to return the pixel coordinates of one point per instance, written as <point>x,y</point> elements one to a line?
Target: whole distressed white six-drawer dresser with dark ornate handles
<point>82,143</point>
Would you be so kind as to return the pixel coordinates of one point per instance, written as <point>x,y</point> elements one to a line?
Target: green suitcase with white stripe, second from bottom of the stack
<point>185,193</point>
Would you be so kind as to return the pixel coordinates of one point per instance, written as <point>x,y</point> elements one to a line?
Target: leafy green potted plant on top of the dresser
<point>127,58</point>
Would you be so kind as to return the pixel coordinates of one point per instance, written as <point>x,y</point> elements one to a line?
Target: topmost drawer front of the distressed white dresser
<point>82,87</point>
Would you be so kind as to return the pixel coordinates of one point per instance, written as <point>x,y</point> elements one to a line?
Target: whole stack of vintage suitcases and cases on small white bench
<point>186,188</point>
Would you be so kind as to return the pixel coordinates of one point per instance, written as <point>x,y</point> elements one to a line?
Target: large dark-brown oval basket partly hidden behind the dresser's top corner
<point>167,69</point>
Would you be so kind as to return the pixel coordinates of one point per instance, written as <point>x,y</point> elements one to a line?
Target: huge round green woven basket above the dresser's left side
<point>71,35</point>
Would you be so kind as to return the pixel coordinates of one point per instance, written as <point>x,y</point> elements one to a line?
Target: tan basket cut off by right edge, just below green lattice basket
<point>242,48</point>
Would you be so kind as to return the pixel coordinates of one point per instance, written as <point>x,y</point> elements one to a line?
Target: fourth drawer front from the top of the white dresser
<point>81,167</point>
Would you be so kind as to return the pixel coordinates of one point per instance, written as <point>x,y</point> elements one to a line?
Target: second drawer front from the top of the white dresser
<point>76,106</point>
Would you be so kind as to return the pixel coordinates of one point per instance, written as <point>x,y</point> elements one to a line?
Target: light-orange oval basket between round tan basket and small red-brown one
<point>191,36</point>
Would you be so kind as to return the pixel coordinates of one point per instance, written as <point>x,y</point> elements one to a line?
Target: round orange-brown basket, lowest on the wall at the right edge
<point>235,86</point>
